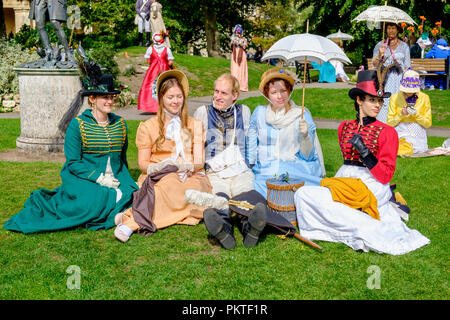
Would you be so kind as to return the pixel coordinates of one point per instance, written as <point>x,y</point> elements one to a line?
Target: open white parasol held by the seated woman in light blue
<point>309,47</point>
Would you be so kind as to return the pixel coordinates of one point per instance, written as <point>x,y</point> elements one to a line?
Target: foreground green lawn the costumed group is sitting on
<point>183,262</point>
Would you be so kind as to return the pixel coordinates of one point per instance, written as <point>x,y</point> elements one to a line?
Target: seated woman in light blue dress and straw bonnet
<point>279,139</point>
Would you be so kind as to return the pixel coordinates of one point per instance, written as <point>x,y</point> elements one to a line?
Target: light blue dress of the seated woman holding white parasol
<point>262,151</point>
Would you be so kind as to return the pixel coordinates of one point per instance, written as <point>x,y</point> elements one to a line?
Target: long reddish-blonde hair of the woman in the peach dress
<point>164,86</point>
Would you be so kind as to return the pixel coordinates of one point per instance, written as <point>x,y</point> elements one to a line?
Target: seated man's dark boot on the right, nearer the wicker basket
<point>252,228</point>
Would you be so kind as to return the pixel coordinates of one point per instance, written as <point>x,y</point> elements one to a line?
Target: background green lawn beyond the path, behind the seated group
<point>322,102</point>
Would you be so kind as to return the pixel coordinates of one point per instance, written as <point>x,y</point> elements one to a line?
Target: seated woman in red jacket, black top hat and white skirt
<point>354,207</point>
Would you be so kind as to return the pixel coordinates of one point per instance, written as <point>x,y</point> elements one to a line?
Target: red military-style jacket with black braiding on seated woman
<point>380,138</point>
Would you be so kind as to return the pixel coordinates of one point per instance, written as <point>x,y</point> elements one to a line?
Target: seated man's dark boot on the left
<point>218,228</point>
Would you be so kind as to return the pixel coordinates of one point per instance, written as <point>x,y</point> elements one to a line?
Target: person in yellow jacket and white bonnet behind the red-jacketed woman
<point>410,114</point>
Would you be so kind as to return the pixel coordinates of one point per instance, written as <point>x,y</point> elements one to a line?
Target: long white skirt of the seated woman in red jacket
<point>321,218</point>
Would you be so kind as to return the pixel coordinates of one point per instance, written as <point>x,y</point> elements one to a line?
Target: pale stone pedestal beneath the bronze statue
<point>45,96</point>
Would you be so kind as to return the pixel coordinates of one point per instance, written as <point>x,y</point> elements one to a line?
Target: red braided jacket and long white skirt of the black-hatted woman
<point>321,218</point>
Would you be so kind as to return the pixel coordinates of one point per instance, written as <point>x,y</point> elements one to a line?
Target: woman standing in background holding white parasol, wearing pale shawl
<point>394,55</point>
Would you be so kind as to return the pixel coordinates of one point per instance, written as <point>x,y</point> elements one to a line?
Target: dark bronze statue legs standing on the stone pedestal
<point>56,12</point>
